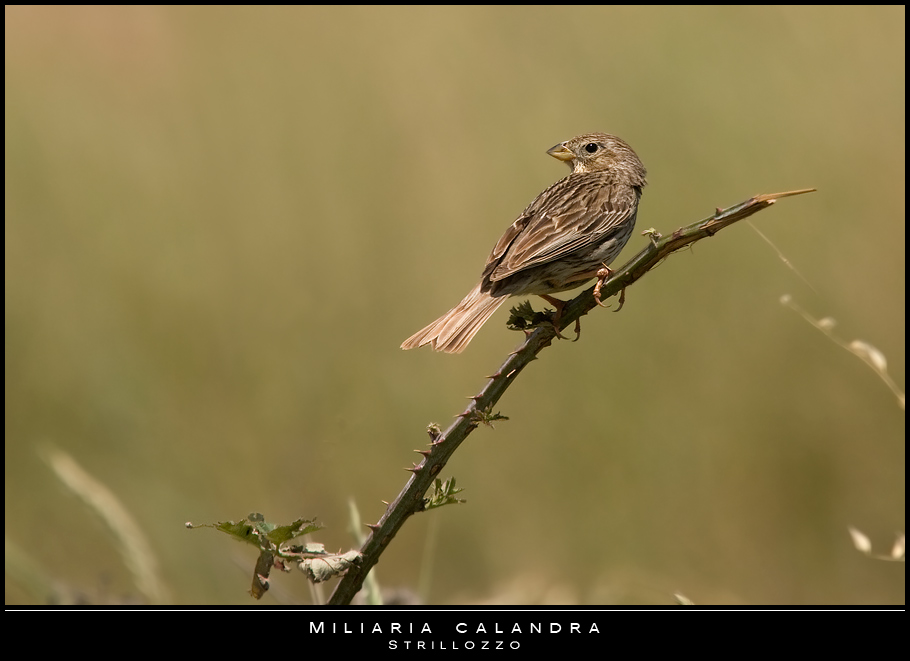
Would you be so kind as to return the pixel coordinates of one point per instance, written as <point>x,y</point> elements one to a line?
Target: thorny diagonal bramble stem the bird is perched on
<point>411,498</point>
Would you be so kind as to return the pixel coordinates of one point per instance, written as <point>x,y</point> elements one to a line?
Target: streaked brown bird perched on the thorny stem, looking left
<point>565,237</point>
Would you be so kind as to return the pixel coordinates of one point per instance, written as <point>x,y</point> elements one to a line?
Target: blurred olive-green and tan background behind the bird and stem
<point>221,223</point>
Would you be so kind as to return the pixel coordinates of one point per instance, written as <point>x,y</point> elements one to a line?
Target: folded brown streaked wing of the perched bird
<point>575,212</point>
